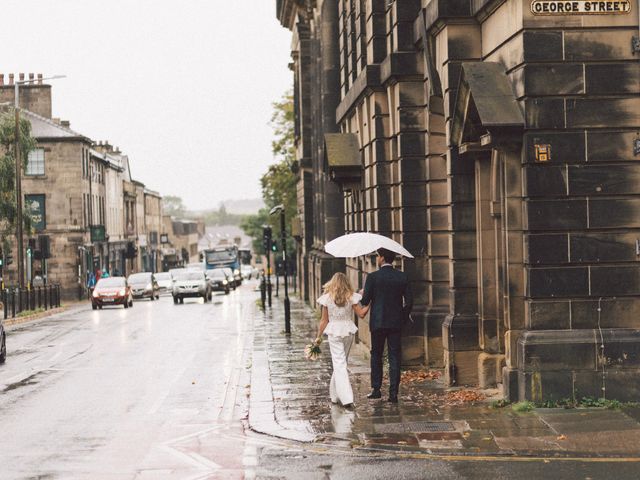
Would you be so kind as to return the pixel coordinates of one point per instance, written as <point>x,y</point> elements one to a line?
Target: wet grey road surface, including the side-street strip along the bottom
<point>159,392</point>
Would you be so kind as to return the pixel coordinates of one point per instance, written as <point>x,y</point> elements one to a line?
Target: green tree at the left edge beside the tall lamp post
<point>8,204</point>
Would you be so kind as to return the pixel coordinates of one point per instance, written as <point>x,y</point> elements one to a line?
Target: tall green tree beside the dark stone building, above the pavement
<point>279,181</point>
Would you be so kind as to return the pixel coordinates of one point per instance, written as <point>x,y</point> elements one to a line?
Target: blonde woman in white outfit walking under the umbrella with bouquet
<point>339,302</point>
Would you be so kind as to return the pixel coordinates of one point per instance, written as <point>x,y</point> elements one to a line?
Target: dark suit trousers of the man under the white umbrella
<point>378,338</point>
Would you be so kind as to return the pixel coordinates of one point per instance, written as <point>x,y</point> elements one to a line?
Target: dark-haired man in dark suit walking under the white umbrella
<point>390,293</point>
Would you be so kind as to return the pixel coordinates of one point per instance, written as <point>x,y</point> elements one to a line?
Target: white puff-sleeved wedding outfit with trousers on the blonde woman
<point>340,331</point>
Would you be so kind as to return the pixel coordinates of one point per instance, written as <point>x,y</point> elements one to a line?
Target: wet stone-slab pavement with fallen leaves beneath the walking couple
<point>290,400</point>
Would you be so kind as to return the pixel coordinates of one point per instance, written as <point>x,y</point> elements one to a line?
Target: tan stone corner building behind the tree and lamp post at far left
<point>58,188</point>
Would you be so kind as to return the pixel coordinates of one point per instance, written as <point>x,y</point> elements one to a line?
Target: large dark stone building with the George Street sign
<point>497,140</point>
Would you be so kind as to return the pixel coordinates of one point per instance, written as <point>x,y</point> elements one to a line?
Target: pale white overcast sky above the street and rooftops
<point>184,88</point>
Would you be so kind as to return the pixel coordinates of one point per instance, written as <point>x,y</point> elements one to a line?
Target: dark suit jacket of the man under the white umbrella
<point>391,295</point>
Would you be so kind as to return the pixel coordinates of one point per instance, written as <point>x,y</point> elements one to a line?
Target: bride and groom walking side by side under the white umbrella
<point>388,296</point>
